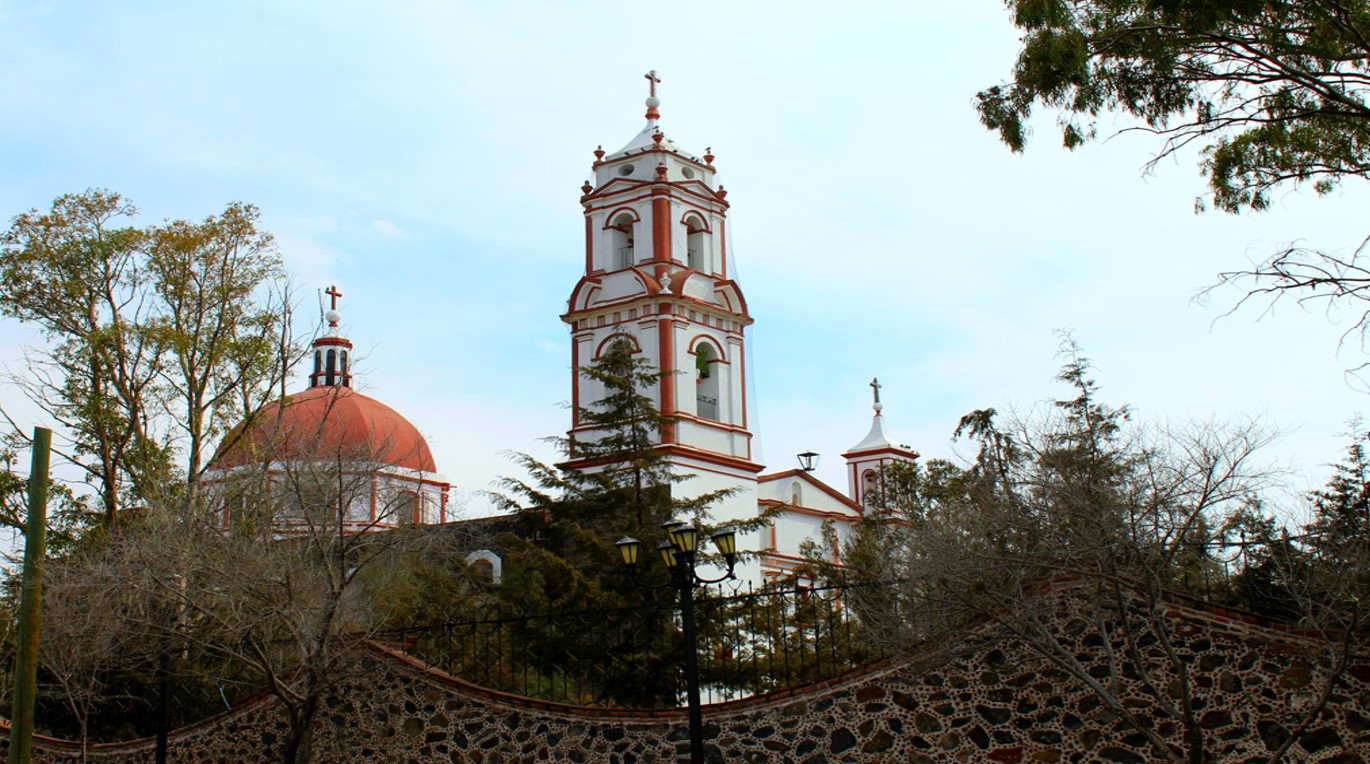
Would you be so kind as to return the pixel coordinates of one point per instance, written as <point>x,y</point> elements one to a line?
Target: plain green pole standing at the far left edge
<point>31,599</point>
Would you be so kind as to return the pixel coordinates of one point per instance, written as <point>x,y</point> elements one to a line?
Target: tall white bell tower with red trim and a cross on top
<point>658,276</point>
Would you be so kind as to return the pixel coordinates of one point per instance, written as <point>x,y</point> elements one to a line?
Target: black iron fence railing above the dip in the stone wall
<point>750,643</point>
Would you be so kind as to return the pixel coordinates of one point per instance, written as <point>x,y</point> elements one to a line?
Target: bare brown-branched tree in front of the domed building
<point>282,599</point>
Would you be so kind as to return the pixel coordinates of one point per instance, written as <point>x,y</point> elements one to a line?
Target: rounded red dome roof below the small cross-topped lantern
<point>327,422</point>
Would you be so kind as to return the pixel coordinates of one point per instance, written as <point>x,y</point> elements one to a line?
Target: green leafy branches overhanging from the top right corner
<point>1273,91</point>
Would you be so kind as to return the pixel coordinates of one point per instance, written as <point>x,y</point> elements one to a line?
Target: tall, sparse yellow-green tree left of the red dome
<point>157,339</point>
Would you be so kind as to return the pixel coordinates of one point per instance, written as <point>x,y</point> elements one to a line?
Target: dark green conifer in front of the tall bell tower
<point>564,558</point>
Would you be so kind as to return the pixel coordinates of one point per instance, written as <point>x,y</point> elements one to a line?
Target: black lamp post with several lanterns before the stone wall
<point>679,555</point>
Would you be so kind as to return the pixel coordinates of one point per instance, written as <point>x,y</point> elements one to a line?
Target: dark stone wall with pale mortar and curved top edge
<point>980,699</point>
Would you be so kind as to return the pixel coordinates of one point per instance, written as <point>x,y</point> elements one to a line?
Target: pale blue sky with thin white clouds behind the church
<point>427,158</point>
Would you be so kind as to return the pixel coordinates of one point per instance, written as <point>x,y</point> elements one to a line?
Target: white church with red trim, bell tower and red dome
<point>658,277</point>
